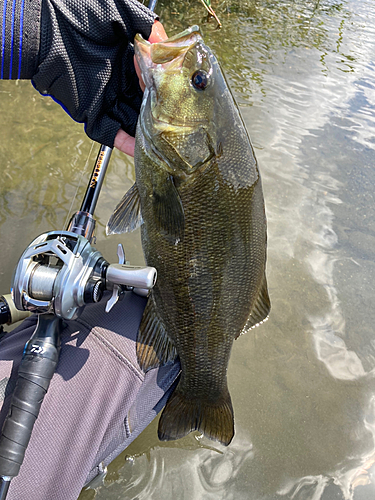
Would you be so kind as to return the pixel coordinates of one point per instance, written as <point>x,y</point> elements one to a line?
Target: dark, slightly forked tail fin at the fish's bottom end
<point>182,415</point>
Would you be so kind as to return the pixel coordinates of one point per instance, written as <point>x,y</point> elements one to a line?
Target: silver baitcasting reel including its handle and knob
<point>60,272</point>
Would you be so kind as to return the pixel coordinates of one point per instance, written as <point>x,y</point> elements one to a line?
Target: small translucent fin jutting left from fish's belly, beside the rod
<point>127,215</point>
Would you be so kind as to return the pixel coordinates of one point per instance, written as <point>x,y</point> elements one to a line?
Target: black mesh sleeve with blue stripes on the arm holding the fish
<point>81,54</point>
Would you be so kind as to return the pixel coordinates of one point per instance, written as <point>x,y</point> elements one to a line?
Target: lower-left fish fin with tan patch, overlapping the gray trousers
<point>154,347</point>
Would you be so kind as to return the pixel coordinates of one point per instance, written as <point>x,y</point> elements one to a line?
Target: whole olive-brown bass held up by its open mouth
<point>199,202</point>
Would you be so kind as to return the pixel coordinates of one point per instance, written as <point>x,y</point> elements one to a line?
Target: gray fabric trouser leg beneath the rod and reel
<point>98,402</point>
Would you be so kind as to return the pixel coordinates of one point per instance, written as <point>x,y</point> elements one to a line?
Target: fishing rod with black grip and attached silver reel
<point>58,274</point>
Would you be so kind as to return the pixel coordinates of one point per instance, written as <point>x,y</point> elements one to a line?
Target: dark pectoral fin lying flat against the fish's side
<point>168,210</point>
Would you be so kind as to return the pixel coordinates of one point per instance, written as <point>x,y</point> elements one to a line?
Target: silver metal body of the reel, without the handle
<point>52,274</point>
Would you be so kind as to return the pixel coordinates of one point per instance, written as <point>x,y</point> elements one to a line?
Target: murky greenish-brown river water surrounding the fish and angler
<point>302,384</point>
